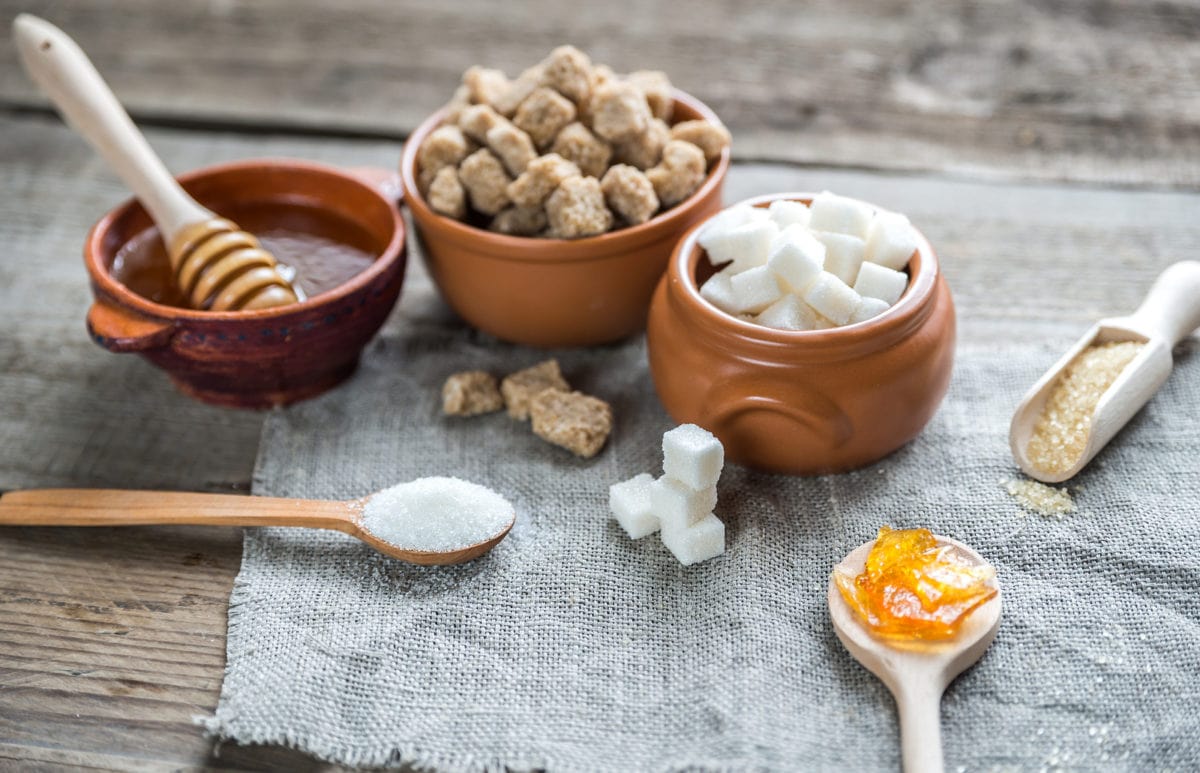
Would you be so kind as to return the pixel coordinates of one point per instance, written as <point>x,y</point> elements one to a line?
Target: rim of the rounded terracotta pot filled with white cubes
<point>896,322</point>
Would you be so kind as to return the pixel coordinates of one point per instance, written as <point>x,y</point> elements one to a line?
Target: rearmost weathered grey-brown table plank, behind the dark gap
<point>1048,89</point>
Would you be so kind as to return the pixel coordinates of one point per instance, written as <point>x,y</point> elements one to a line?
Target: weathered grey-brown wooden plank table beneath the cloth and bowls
<point>975,115</point>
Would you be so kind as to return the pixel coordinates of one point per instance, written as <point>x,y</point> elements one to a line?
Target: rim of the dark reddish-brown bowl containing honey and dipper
<point>125,297</point>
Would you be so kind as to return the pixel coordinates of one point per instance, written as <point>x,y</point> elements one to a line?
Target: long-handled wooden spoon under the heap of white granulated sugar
<point>100,507</point>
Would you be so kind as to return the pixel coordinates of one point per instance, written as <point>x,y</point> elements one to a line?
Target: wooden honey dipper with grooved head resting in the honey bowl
<point>218,266</point>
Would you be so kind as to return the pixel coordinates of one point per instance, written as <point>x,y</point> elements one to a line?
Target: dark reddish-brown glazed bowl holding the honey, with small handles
<point>255,359</point>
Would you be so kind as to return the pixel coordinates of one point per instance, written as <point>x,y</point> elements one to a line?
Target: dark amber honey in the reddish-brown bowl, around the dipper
<point>325,250</point>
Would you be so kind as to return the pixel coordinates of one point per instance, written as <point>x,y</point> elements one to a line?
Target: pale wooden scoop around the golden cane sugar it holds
<point>1169,314</point>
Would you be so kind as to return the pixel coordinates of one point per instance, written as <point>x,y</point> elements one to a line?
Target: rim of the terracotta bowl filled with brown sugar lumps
<point>538,250</point>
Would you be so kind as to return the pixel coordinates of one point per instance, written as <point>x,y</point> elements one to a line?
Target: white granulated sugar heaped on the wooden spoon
<point>436,514</point>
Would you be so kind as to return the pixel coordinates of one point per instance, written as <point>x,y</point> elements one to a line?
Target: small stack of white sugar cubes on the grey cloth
<point>681,502</point>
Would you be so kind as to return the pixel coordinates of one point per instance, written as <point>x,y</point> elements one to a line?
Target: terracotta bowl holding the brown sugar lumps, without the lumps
<point>551,292</point>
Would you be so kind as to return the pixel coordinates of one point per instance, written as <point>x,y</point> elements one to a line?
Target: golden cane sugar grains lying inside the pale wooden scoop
<point>1061,433</point>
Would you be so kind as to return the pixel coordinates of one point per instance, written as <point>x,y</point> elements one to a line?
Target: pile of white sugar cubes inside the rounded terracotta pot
<point>807,268</point>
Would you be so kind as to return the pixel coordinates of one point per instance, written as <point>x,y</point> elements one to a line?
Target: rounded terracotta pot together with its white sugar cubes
<point>809,333</point>
